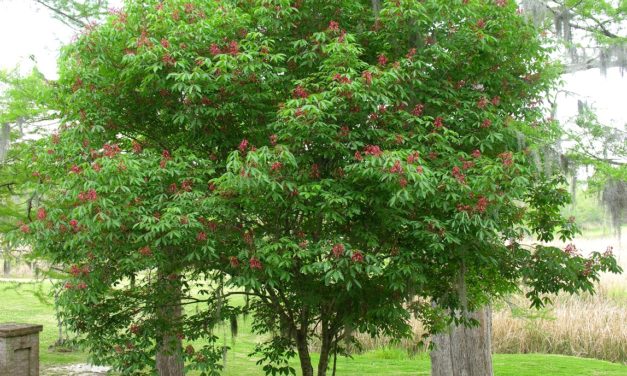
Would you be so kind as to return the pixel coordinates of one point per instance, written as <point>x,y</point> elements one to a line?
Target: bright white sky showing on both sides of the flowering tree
<point>27,29</point>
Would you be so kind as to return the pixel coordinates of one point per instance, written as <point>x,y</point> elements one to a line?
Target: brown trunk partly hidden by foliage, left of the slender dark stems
<point>169,360</point>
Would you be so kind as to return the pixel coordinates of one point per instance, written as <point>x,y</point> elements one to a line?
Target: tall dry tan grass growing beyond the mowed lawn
<point>591,326</point>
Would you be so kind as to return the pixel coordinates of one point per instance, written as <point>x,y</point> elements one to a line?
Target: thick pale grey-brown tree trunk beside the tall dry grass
<point>465,351</point>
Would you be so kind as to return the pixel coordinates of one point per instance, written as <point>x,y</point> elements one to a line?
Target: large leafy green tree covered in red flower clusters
<point>343,165</point>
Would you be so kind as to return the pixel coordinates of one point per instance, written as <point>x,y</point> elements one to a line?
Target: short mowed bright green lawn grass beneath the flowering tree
<point>19,303</point>
